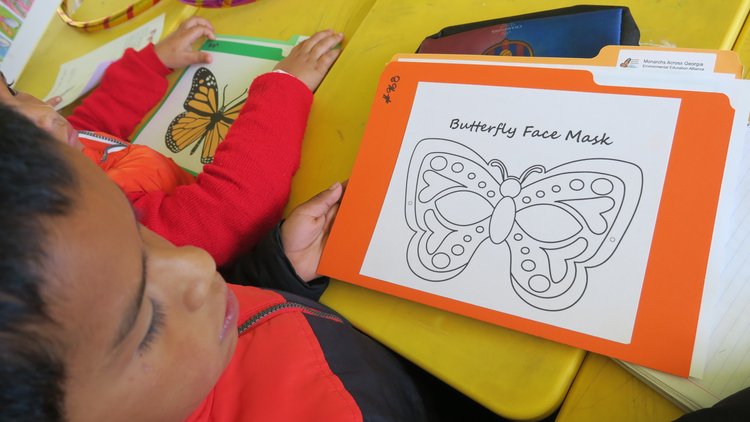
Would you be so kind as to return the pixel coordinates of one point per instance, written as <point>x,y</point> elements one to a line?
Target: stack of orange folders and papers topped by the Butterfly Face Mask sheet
<point>551,200</point>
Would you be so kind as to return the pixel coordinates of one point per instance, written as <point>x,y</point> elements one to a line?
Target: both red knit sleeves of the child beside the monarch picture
<point>238,197</point>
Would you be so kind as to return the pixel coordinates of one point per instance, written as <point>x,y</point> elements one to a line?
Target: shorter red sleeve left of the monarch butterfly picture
<point>130,88</point>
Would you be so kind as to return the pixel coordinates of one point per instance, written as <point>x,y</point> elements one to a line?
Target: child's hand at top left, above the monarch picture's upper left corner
<point>176,50</point>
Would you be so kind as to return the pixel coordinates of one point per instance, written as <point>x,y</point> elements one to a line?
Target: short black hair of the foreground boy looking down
<point>36,185</point>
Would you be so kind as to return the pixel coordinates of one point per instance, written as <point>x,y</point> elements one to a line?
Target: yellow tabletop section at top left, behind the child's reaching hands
<point>274,19</point>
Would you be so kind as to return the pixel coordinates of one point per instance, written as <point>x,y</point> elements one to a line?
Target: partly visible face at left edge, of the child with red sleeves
<point>39,112</point>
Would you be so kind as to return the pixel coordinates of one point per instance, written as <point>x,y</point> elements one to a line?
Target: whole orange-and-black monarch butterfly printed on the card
<point>204,120</point>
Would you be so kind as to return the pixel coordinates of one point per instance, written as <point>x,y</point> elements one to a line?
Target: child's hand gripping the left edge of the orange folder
<point>304,233</point>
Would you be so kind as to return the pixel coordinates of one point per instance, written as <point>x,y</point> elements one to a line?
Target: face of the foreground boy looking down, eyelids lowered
<point>147,327</point>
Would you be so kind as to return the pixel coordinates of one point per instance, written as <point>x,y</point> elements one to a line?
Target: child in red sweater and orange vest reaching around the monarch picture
<point>238,197</point>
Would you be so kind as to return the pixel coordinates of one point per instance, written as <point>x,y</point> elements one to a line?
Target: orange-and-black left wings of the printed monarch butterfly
<point>195,123</point>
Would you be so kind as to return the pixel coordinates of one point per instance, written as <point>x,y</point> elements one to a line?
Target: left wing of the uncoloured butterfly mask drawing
<point>450,196</point>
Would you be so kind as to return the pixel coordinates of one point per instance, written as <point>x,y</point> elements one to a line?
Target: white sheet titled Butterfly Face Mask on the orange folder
<point>629,159</point>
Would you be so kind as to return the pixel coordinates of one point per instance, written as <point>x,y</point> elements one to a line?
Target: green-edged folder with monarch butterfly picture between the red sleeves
<point>181,127</point>
